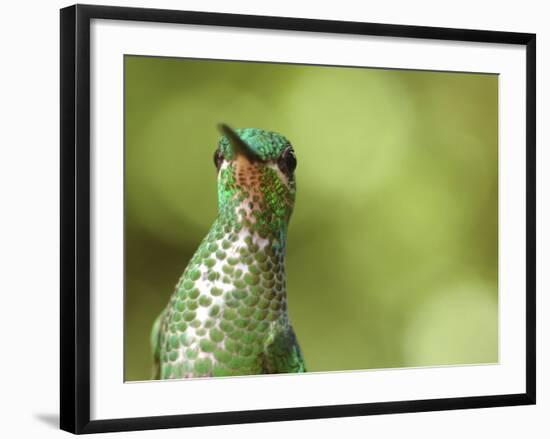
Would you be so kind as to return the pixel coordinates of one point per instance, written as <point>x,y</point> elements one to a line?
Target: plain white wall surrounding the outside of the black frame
<point>29,217</point>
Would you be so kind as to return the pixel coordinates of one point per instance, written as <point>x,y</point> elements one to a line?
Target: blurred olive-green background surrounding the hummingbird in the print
<point>393,244</point>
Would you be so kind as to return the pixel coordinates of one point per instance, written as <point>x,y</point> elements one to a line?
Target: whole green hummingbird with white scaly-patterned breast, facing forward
<point>228,313</point>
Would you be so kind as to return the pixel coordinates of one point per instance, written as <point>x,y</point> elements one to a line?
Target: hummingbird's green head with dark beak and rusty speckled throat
<point>256,183</point>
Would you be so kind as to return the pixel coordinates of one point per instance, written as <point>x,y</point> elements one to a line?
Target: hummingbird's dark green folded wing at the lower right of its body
<point>282,352</point>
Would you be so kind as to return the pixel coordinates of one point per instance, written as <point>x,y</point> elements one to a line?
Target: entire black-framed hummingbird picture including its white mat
<point>268,218</point>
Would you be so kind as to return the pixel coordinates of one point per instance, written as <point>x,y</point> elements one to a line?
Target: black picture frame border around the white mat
<point>75,217</point>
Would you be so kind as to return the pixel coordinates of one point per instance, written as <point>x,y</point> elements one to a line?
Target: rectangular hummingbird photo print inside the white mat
<point>293,218</point>
